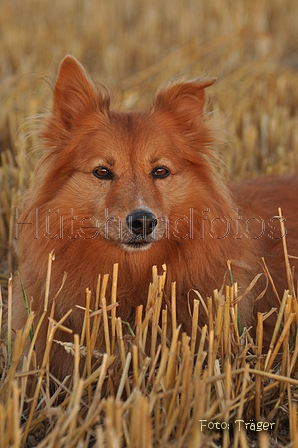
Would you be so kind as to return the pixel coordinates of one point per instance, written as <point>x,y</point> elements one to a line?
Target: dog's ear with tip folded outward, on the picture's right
<point>185,100</point>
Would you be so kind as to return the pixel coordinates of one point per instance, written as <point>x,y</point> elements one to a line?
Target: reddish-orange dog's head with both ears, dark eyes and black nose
<point>123,176</point>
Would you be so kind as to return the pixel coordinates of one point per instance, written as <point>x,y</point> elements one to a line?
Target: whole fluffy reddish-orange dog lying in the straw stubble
<point>197,227</point>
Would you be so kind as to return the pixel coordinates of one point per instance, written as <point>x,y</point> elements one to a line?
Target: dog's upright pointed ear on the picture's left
<point>74,94</point>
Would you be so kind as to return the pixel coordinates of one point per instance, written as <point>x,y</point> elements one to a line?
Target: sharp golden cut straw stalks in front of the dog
<point>175,395</point>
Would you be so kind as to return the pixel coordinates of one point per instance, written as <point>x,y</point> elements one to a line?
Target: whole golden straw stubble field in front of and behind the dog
<point>228,392</point>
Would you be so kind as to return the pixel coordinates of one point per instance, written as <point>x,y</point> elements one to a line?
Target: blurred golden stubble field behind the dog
<point>135,46</point>
